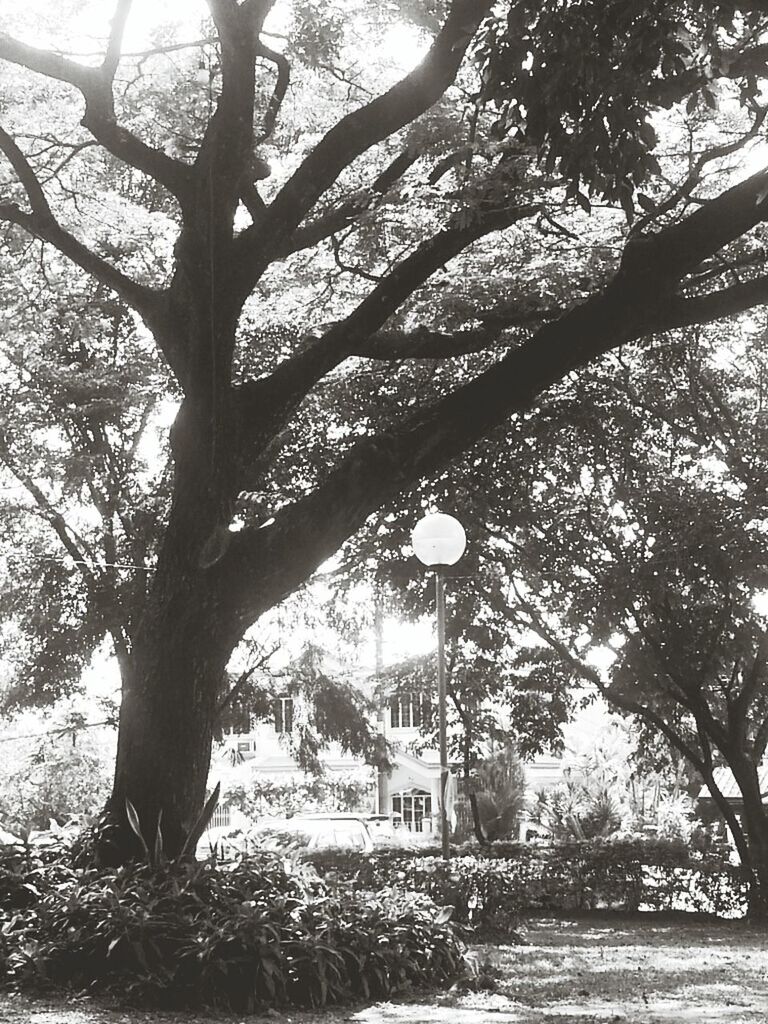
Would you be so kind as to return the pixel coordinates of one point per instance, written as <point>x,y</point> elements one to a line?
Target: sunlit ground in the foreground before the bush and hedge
<point>590,971</point>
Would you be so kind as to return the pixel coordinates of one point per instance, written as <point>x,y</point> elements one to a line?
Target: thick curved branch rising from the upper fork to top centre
<point>357,134</point>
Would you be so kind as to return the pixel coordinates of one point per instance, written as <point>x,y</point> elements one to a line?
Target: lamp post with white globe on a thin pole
<point>439,541</point>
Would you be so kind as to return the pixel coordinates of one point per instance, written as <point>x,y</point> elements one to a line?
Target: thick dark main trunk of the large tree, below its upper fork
<point>181,651</point>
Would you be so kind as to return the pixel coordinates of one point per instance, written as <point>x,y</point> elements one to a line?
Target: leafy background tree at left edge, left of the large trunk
<point>82,457</point>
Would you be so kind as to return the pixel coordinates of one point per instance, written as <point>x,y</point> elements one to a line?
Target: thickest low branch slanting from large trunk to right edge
<point>637,304</point>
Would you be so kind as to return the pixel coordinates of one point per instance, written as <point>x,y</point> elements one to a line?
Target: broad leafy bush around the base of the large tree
<point>237,940</point>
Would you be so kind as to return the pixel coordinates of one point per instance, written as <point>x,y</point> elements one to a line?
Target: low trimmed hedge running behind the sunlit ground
<point>492,887</point>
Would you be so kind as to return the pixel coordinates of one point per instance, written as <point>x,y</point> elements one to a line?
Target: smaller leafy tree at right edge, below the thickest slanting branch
<point>646,533</point>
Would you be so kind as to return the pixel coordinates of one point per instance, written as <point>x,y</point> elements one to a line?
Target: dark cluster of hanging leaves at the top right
<point>580,81</point>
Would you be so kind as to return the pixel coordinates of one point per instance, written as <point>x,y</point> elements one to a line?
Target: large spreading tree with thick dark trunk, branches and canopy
<point>458,143</point>
